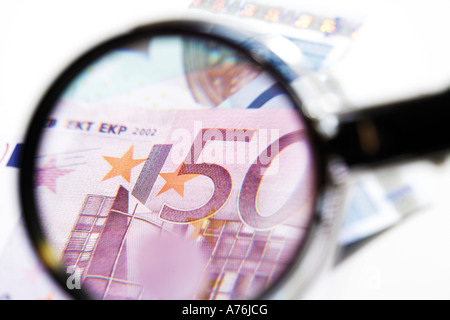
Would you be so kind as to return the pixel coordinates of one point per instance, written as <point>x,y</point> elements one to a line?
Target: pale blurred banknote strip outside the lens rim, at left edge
<point>22,275</point>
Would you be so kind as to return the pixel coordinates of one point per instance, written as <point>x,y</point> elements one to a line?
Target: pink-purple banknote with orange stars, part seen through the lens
<point>238,186</point>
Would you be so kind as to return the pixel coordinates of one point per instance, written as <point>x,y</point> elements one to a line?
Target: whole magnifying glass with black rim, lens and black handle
<point>186,161</point>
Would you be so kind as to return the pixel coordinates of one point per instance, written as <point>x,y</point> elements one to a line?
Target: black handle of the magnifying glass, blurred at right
<point>412,128</point>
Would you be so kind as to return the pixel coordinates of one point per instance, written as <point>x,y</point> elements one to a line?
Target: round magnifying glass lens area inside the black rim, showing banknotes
<point>173,166</point>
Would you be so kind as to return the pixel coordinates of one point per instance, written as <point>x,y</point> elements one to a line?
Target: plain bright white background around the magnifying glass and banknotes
<point>403,51</point>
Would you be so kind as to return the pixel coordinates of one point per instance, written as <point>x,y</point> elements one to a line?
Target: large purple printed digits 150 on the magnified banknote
<point>223,183</point>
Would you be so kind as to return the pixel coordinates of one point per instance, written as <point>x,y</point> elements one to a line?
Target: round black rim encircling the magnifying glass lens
<point>234,39</point>
